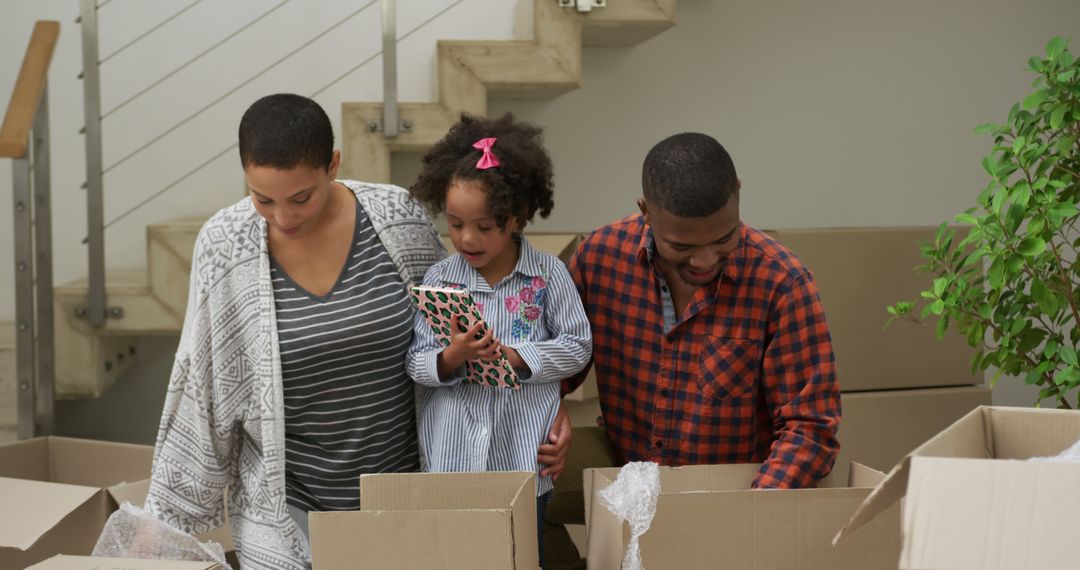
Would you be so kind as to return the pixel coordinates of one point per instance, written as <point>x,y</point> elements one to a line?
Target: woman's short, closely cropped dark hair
<point>286,131</point>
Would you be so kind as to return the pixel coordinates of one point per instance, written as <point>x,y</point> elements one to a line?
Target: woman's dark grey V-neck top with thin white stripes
<point>349,406</point>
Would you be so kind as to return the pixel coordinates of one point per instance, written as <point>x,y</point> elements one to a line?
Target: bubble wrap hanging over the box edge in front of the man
<point>633,498</point>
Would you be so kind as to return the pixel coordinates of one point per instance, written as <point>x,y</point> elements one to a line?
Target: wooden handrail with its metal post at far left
<point>24,138</point>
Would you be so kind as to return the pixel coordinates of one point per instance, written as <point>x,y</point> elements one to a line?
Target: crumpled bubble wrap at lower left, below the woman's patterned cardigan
<point>132,533</point>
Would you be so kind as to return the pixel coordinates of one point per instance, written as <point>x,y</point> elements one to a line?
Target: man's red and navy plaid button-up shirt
<point>746,376</point>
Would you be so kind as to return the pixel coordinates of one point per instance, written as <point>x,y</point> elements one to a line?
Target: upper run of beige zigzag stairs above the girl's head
<point>469,72</point>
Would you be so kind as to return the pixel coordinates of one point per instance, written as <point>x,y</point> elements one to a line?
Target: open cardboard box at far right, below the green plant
<point>969,508</point>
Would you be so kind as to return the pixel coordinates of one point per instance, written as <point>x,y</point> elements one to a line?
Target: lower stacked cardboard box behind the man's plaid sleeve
<point>879,429</point>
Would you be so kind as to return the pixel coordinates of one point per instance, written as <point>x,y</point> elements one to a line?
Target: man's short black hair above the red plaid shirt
<point>690,175</point>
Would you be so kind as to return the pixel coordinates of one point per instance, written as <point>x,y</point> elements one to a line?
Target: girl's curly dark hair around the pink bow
<point>520,187</point>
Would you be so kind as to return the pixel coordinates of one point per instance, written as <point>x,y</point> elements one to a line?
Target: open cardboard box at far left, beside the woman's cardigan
<point>58,494</point>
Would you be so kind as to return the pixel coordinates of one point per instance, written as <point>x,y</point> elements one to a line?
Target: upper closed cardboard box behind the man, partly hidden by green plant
<point>860,272</point>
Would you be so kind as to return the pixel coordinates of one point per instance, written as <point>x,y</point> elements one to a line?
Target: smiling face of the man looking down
<point>695,248</point>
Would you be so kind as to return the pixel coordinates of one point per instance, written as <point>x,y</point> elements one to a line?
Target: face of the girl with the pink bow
<point>474,232</point>
